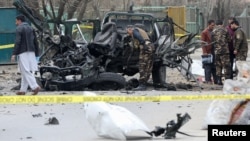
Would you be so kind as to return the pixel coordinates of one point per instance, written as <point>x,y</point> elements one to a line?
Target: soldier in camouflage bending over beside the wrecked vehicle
<point>141,40</point>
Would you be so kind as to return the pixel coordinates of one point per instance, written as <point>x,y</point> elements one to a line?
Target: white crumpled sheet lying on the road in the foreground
<point>111,121</point>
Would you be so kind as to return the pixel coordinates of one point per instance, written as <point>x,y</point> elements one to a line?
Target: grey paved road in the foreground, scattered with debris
<point>27,121</point>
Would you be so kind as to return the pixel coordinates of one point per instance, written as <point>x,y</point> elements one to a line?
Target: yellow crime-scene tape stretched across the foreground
<point>42,99</point>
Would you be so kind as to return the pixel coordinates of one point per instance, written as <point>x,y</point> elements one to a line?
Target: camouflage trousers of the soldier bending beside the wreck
<point>145,63</point>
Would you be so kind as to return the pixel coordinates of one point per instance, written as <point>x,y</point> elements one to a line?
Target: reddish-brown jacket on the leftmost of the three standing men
<point>206,36</point>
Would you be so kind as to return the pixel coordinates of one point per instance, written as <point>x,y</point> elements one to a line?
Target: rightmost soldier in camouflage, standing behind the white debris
<point>240,42</point>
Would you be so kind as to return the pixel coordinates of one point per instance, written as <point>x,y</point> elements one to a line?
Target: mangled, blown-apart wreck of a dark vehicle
<point>103,62</point>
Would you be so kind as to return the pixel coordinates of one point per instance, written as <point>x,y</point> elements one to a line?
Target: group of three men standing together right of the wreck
<point>226,45</point>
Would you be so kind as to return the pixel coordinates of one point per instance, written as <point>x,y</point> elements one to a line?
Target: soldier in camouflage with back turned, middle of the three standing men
<point>221,38</point>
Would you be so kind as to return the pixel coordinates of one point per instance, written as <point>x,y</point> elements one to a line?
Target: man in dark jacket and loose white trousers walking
<point>24,49</point>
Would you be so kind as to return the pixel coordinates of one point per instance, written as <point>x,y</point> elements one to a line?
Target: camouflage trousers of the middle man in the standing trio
<point>222,62</point>
